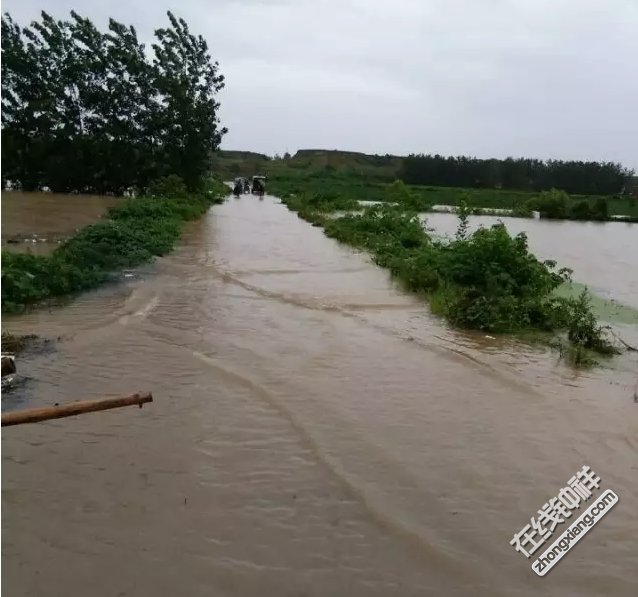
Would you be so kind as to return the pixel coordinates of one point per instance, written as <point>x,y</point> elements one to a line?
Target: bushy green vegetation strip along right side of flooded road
<point>486,280</point>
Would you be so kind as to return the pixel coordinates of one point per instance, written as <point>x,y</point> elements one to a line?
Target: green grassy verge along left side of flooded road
<point>129,234</point>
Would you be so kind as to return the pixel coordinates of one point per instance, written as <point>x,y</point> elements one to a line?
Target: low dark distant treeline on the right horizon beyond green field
<point>586,178</point>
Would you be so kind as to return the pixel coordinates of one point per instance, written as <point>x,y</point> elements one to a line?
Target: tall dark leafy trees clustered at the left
<point>85,110</point>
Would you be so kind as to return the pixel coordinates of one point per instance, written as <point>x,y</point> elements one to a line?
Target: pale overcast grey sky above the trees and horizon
<point>491,78</point>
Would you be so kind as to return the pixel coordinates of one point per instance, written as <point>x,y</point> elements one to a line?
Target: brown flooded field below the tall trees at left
<point>37,222</point>
